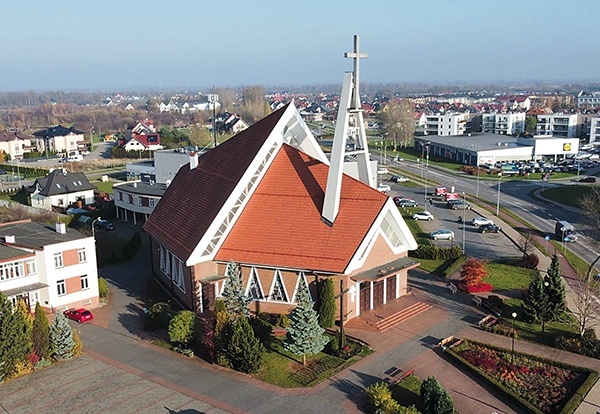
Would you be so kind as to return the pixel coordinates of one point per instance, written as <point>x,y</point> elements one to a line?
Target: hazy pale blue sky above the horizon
<point>111,44</point>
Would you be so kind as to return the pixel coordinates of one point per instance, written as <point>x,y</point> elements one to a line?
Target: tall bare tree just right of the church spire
<point>397,123</point>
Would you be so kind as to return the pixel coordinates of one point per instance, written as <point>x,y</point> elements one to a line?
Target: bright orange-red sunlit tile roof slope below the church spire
<point>281,225</point>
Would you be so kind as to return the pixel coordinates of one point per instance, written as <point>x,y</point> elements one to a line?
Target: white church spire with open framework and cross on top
<point>350,139</point>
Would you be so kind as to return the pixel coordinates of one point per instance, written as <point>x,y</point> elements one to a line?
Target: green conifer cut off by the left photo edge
<point>14,341</point>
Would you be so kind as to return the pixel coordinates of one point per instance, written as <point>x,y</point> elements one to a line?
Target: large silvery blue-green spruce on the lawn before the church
<point>305,335</point>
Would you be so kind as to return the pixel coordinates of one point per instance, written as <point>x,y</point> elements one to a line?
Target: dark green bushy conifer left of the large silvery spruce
<point>244,350</point>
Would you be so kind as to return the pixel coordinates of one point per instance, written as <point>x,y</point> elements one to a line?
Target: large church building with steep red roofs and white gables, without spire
<point>258,200</point>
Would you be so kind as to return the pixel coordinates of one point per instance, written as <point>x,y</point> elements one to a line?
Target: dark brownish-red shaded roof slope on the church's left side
<point>195,197</point>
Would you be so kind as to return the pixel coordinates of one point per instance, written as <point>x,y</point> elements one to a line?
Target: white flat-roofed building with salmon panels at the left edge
<point>55,267</point>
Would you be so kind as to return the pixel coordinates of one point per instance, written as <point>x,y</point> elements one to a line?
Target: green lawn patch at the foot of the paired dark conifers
<point>533,332</point>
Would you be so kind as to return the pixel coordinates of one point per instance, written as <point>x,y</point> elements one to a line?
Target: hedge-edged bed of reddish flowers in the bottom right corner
<point>538,384</point>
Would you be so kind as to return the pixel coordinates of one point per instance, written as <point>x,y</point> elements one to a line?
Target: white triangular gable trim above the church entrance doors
<point>399,237</point>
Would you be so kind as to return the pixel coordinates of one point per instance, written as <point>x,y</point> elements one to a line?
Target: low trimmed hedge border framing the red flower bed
<point>570,406</point>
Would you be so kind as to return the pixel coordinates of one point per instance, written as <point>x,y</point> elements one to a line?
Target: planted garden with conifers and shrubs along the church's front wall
<point>291,350</point>
